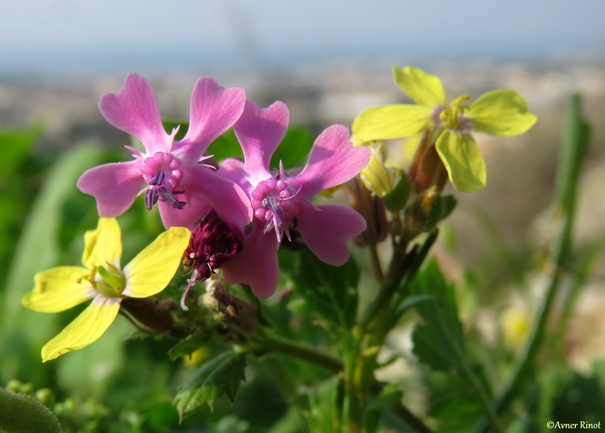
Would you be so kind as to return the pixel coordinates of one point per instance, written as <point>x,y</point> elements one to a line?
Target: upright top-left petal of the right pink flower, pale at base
<point>259,132</point>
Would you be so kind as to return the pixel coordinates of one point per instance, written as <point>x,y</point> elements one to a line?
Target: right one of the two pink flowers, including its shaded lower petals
<point>281,201</point>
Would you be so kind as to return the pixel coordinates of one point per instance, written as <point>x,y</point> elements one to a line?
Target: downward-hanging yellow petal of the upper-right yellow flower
<point>462,159</point>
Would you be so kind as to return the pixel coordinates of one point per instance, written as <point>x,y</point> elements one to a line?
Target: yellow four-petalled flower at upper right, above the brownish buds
<point>500,112</point>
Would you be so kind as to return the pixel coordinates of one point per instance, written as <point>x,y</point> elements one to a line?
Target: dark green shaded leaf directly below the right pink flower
<point>328,291</point>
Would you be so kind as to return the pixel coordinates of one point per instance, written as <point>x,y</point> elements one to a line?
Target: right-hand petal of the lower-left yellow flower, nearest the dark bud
<point>153,268</point>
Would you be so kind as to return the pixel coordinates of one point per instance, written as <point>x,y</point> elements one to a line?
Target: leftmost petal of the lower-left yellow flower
<point>58,289</point>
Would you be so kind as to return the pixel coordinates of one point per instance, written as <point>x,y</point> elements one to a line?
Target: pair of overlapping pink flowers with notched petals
<point>174,174</point>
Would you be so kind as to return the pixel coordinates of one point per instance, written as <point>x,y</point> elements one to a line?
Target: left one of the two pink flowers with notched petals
<point>173,170</point>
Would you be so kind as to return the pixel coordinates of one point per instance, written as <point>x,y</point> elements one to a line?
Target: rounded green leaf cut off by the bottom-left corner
<point>20,413</point>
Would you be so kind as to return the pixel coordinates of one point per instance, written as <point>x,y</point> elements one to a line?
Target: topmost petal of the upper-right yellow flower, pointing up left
<point>424,89</point>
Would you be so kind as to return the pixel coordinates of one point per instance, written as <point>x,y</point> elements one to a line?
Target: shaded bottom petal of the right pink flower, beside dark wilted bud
<point>256,265</point>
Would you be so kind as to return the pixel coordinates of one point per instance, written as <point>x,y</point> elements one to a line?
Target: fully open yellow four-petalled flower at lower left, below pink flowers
<point>104,281</point>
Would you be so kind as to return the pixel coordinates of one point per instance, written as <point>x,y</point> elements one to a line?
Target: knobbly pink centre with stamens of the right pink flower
<point>272,203</point>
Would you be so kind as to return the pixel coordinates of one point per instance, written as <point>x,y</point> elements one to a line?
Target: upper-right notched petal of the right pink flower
<point>333,160</point>
